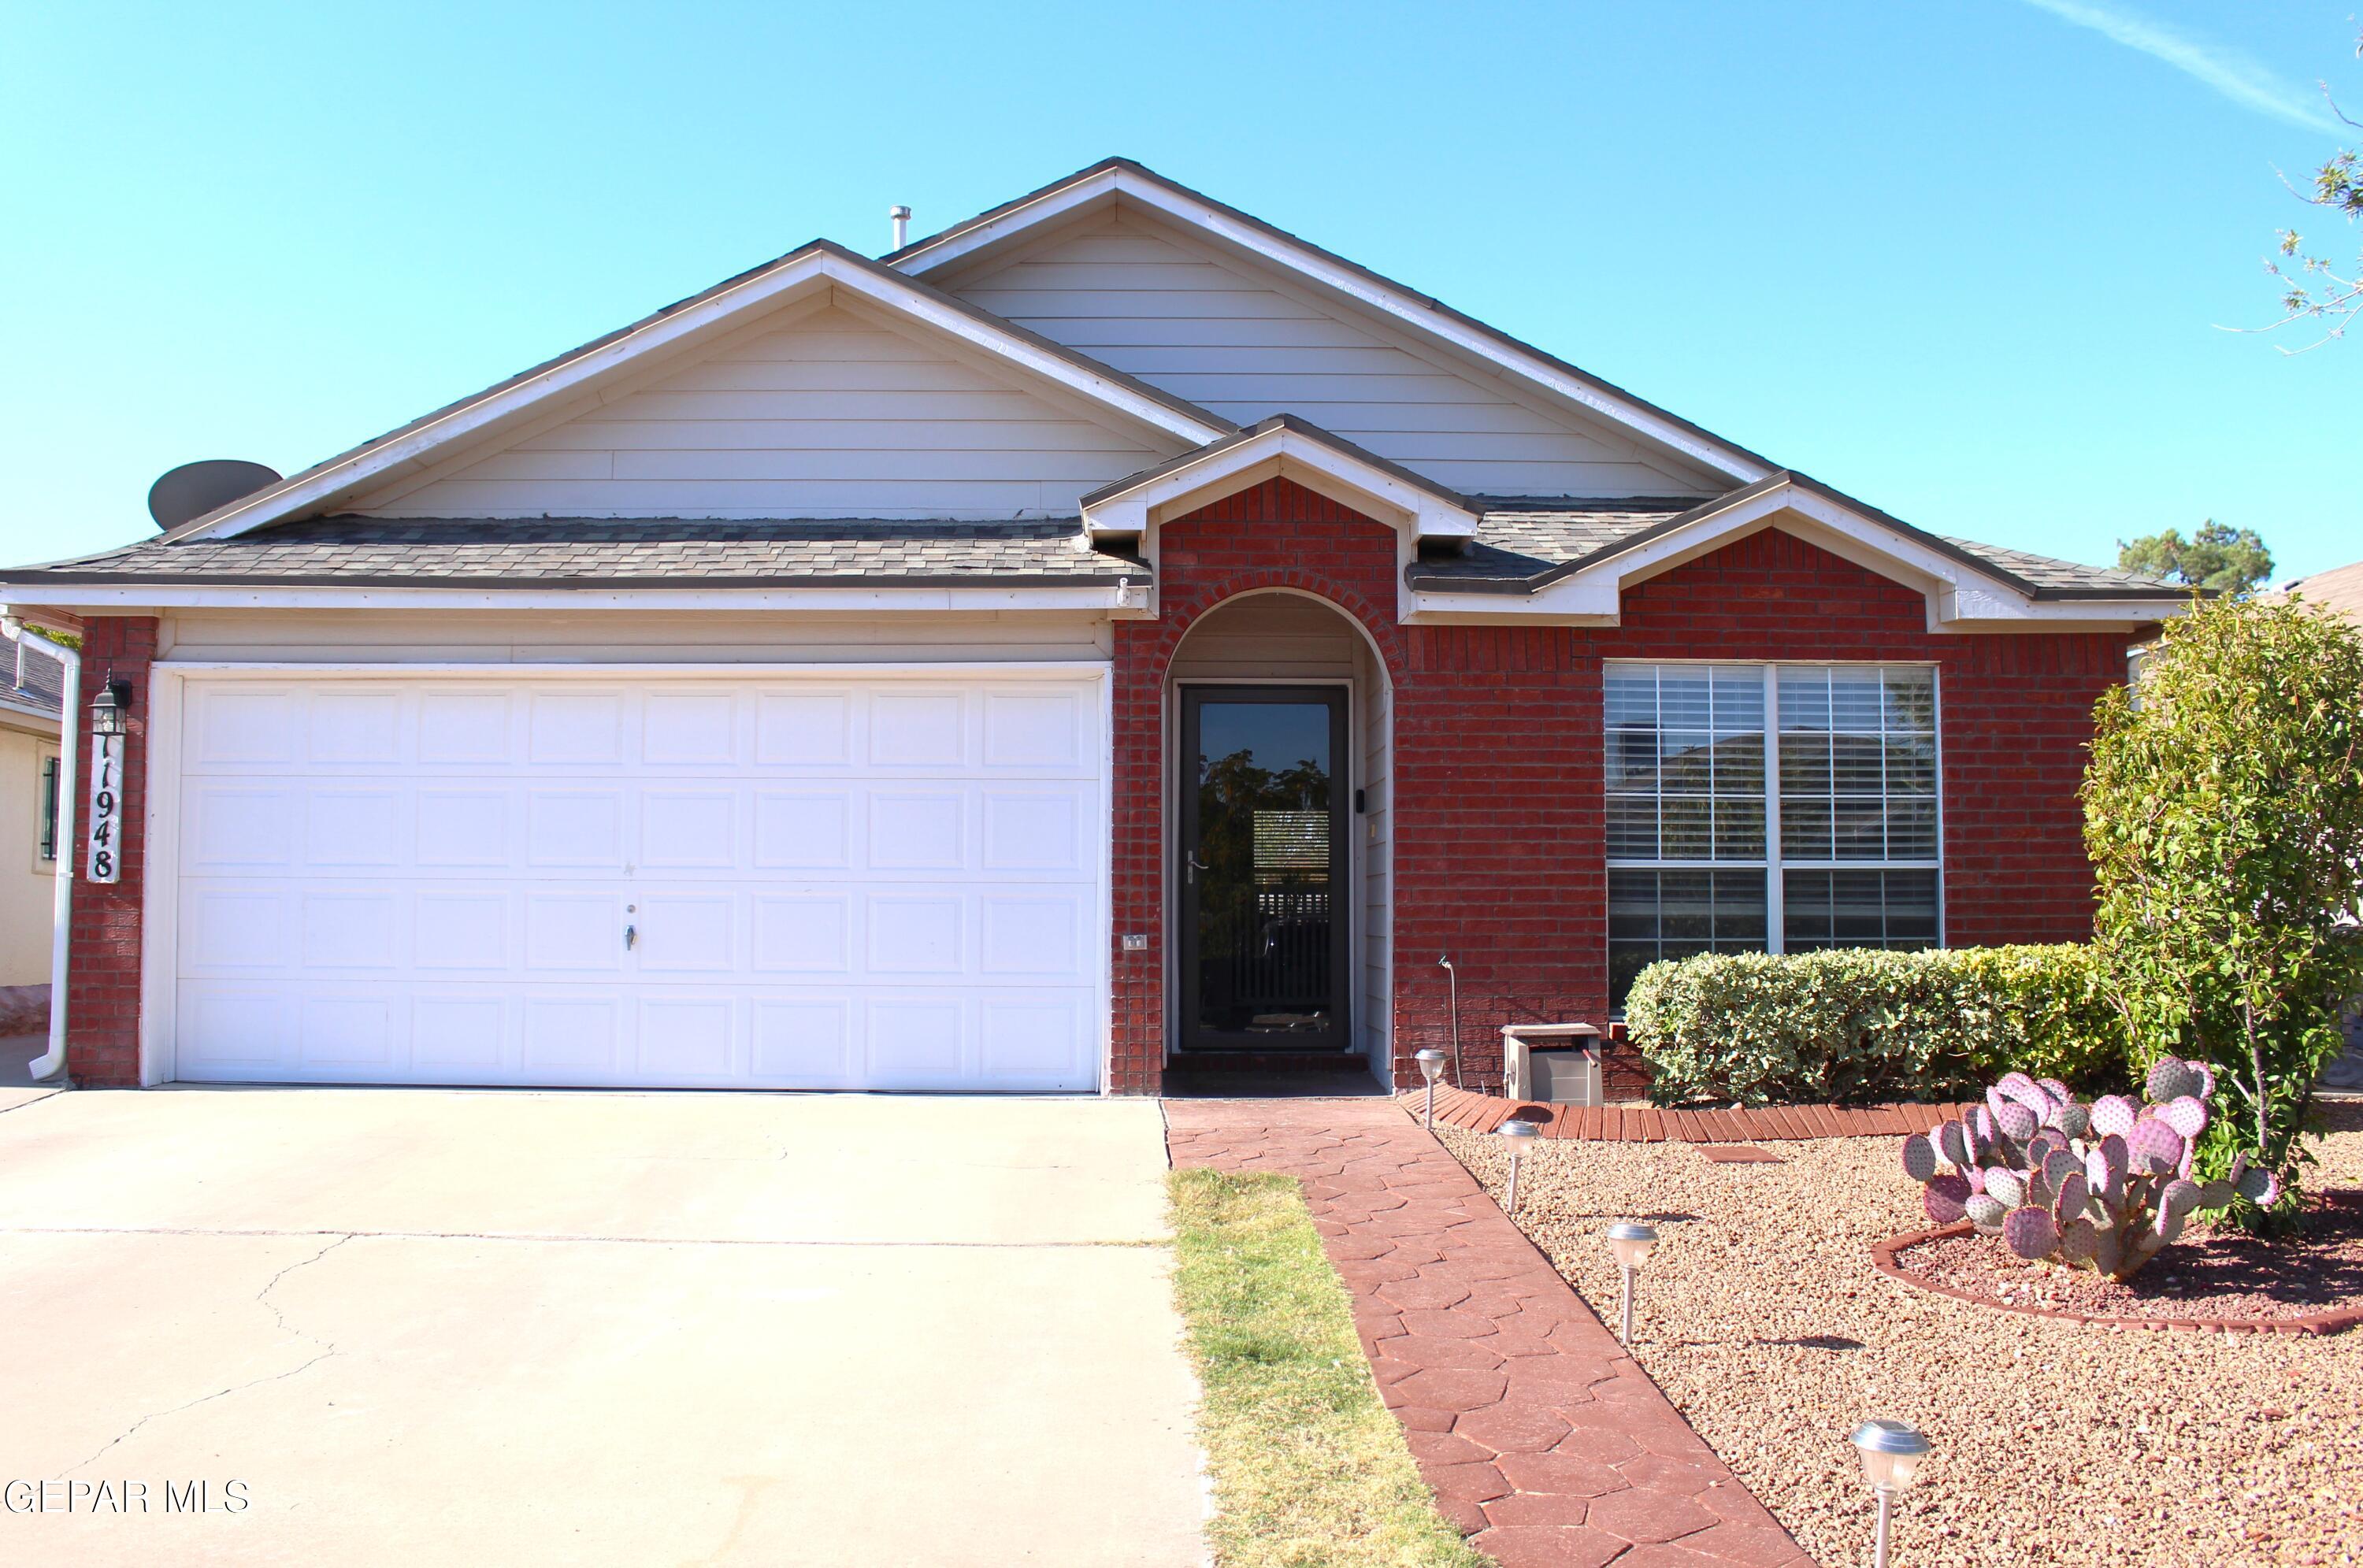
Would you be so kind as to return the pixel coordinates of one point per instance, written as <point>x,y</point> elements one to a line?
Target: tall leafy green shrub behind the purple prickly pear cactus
<point>2225,818</point>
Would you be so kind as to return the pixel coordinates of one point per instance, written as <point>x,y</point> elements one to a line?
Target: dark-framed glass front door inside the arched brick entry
<point>1263,870</point>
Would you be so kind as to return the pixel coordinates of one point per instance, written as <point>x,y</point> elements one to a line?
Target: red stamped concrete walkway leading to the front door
<point>1532,1425</point>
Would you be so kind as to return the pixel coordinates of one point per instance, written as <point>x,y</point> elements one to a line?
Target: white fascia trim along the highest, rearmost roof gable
<point>1353,285</point>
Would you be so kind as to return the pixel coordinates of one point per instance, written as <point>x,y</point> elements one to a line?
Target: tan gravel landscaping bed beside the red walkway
<point>2055,1442</point>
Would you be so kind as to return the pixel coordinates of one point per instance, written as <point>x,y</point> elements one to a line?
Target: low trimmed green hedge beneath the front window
<point>1863,1026</point>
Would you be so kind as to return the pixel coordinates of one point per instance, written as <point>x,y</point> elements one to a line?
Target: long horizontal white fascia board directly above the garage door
<point>122,599</point>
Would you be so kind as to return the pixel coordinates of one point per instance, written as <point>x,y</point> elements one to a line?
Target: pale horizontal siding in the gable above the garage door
<point>833,414</point>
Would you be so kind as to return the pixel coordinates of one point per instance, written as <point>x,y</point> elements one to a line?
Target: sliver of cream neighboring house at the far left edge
<point>30,703</point>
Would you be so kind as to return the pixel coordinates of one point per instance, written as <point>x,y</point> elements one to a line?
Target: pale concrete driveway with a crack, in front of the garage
<point>590,1328</point>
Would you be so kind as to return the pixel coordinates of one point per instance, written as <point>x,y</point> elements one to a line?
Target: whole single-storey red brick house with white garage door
<point>1105,629</point>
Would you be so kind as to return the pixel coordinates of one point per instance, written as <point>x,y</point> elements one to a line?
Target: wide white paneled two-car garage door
<point>755,882</point>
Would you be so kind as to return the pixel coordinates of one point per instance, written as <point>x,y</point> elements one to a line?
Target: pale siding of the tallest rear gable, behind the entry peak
<point>1150,301</point>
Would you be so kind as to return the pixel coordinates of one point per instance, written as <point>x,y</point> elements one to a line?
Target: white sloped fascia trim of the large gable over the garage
<point>767,289</point>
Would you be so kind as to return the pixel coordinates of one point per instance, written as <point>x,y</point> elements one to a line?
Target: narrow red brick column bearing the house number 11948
<point>103,986</point>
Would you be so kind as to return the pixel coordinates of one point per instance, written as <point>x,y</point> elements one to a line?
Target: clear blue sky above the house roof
<point>1962,259</point>
